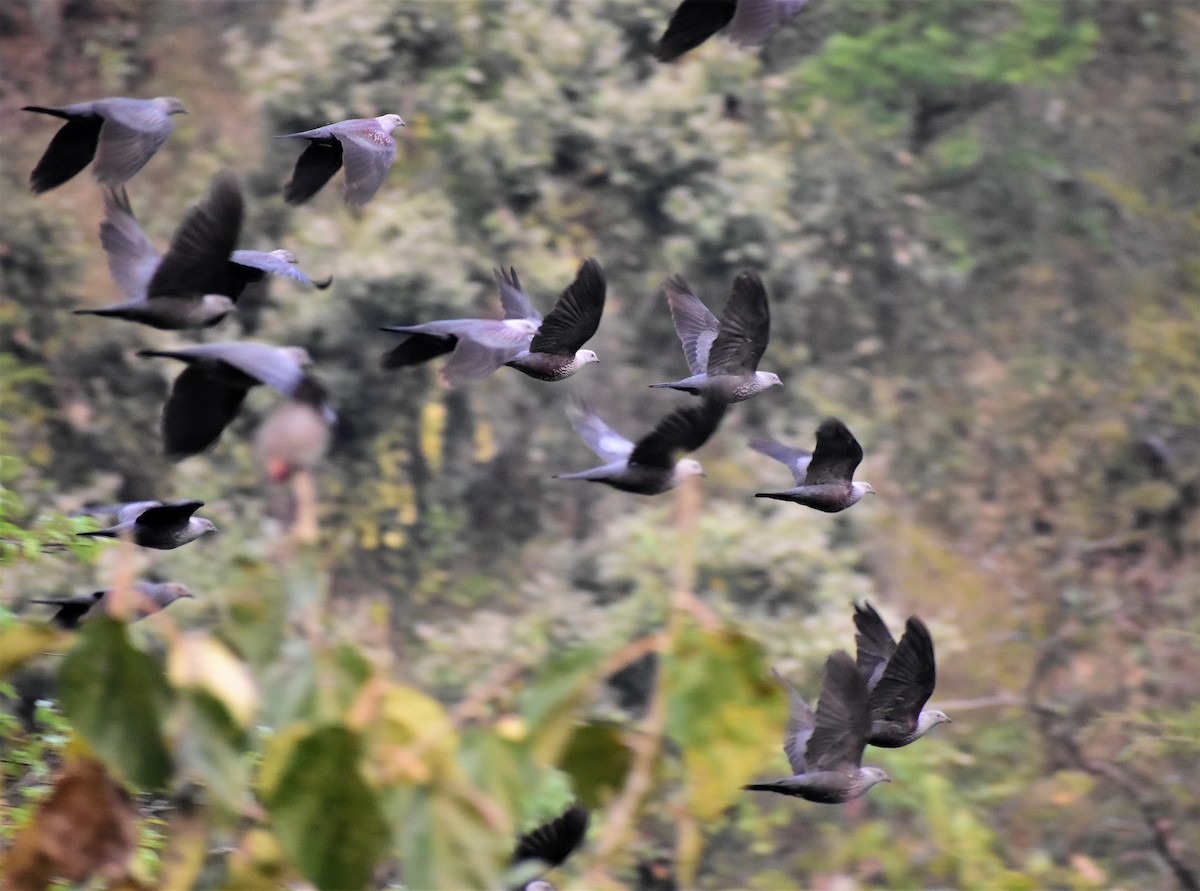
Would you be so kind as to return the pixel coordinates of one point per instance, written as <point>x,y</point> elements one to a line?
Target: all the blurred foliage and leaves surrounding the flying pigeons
<point>980,228</point>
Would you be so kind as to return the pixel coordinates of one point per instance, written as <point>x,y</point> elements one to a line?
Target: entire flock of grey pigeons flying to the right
<point>878,699</point>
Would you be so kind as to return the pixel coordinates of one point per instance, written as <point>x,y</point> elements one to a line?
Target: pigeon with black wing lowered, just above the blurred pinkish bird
<point>209,392</point>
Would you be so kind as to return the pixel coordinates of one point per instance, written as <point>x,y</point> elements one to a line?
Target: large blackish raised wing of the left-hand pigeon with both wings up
<point>197,260</point>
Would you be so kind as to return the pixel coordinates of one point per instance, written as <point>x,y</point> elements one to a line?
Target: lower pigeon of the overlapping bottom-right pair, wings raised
<point>826,749</point>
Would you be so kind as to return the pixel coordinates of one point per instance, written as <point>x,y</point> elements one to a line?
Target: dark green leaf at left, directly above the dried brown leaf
<point>116,697</point>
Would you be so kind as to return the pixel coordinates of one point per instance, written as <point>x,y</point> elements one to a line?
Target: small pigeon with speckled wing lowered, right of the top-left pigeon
<point>363,145</point>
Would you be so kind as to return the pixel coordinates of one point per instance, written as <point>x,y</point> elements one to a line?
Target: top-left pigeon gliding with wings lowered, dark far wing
<point>121,134</point>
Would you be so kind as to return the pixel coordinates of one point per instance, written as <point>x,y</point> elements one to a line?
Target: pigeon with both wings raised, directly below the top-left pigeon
<point>195,285</point>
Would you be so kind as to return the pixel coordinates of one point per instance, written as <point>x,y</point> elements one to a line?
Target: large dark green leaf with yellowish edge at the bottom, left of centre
<point>325,815</point>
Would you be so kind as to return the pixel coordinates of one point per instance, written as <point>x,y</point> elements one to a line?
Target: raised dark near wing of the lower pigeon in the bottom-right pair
<point>843,721</point>
